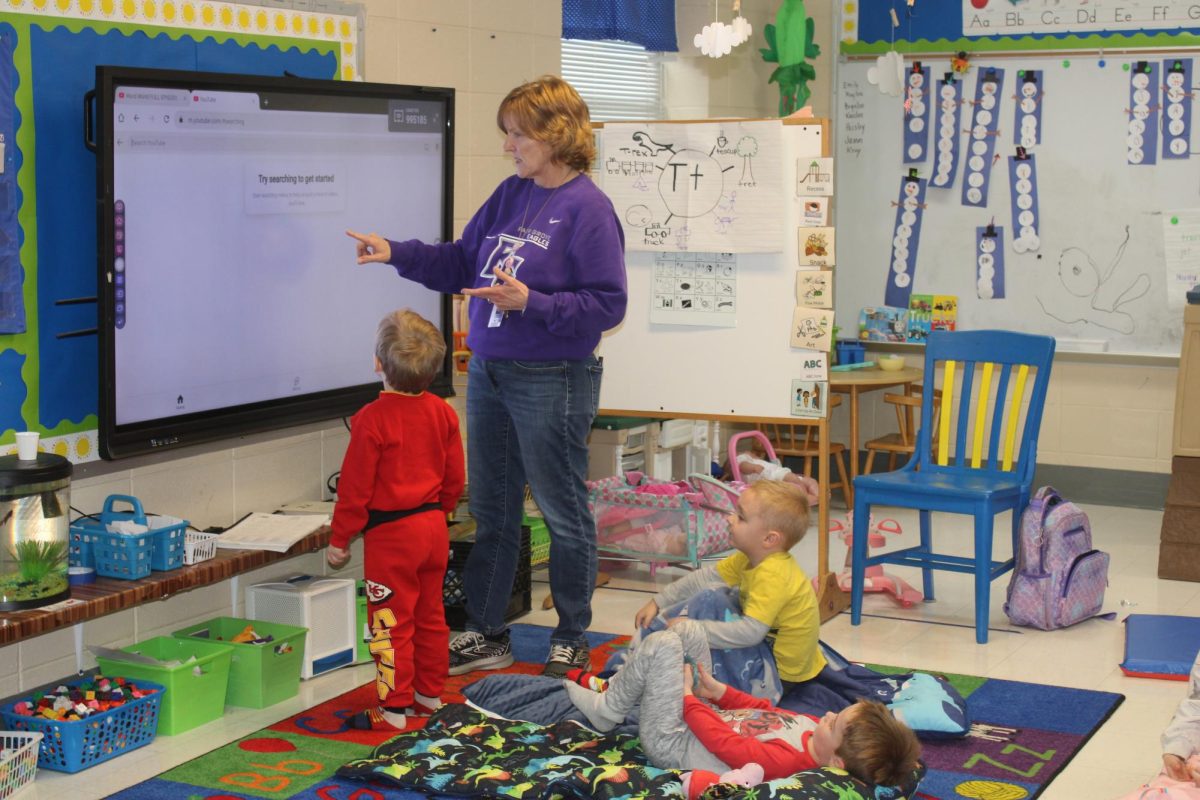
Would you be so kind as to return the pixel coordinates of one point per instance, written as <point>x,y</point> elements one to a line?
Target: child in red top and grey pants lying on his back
<point>679,730</point>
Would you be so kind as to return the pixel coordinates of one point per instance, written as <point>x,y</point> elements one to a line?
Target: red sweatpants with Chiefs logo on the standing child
<point>405,567</point>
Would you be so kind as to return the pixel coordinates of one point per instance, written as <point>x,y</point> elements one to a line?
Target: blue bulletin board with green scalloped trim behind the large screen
<point>49,273</point>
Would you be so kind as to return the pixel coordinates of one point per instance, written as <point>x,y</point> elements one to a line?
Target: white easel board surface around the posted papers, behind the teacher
<point>745,370</point>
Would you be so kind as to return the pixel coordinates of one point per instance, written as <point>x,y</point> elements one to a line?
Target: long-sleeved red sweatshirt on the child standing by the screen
<point>405,452</point>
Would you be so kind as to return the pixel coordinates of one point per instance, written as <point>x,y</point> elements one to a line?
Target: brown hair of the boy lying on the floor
<point>878,748</point>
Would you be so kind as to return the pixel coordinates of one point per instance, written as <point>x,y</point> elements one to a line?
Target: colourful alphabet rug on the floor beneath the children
<point>1023,736</point>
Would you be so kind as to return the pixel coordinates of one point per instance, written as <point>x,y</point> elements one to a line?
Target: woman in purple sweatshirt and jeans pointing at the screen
<point>544,264</point>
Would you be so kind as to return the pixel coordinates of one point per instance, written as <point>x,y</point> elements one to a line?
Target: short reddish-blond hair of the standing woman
<point>550,111</point>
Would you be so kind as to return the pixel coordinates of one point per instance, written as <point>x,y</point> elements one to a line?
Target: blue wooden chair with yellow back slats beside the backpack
<point>991,378</point>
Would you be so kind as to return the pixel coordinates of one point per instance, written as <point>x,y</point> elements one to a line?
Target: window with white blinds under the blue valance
<point>617,80</point>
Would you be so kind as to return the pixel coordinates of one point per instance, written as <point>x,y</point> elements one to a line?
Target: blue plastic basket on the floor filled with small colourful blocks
<point>74,747</point>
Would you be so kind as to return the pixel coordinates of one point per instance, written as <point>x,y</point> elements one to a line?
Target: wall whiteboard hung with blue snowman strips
<point>1099,215</point>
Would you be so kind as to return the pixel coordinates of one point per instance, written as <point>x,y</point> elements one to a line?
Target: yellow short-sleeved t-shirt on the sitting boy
<point>778,594</point>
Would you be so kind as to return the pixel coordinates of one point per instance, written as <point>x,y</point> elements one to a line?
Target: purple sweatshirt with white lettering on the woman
<point>566,244</point>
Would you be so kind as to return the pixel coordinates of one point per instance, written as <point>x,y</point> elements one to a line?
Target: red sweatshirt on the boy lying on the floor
<point>747,730</point>
